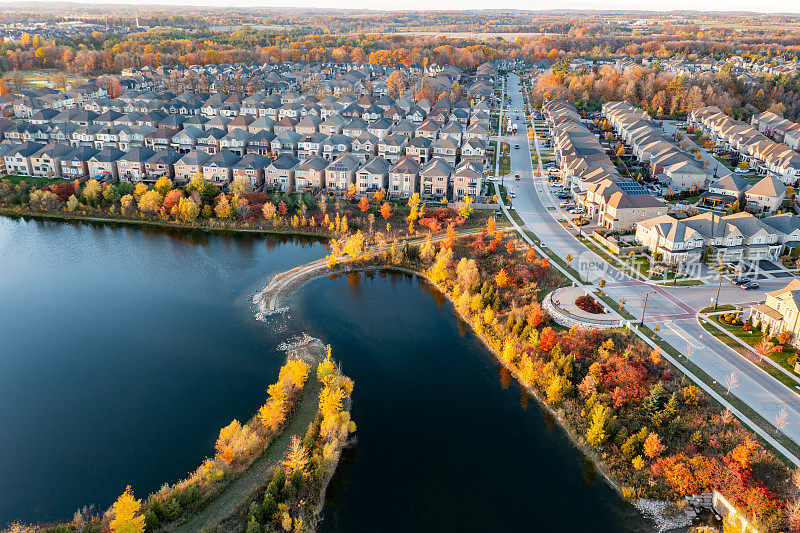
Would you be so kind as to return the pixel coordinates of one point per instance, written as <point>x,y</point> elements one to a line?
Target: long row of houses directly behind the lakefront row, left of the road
<point>243,134</point>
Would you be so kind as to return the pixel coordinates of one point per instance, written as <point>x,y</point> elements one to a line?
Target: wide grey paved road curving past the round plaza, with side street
<point>673,308</point>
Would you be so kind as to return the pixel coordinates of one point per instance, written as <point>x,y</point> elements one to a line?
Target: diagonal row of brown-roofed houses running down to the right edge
<point>759,151</point>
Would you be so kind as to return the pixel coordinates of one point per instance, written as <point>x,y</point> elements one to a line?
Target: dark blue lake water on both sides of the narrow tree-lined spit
<point>123,351</point>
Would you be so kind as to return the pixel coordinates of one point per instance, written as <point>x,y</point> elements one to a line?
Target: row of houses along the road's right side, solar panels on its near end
<point>589,174</point>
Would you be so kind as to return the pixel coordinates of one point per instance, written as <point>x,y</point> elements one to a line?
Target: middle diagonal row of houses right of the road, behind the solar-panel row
<point>668,164</point>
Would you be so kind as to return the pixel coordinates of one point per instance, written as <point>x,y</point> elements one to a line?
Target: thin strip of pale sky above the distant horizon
<point>772,6</point>
